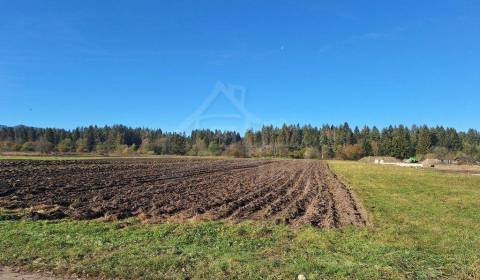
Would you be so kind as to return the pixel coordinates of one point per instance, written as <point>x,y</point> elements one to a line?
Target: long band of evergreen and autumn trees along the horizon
<point>293,141</point>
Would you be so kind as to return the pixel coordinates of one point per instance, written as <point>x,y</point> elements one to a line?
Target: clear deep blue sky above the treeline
<point>154,63</point>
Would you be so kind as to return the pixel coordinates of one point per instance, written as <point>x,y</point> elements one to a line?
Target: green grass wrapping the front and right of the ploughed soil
<point>423,225</point>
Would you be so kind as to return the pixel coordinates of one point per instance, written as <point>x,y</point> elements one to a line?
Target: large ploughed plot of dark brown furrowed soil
<point>175,189</point>
